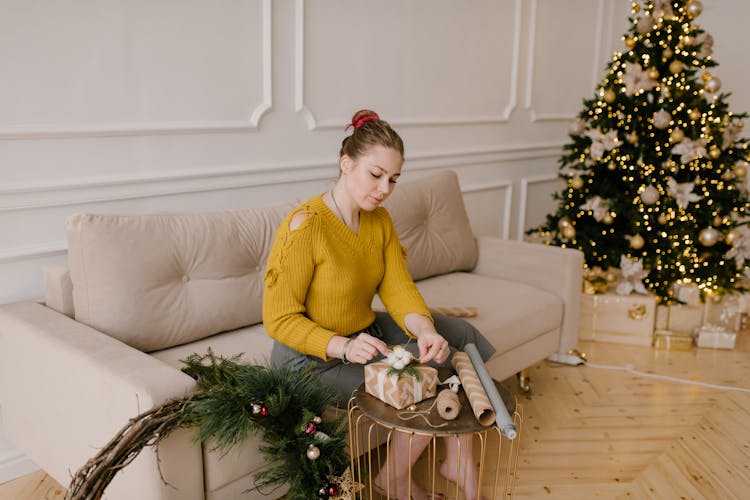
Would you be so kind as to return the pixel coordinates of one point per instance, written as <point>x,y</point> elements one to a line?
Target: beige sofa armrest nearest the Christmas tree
<point>554,269</point>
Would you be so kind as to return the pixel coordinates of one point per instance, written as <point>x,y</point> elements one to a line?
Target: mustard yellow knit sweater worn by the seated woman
<point>321,278</point>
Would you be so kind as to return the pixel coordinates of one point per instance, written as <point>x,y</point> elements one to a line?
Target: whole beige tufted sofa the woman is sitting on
<point>144,291</point>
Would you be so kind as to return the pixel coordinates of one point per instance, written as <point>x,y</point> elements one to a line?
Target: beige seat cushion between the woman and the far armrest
<point>509,313</point>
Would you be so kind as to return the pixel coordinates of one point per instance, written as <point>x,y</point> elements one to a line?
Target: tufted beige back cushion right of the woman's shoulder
<point>432,223</point>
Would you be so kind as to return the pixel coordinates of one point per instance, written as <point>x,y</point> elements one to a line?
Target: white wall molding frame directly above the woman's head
<point>314,123</point>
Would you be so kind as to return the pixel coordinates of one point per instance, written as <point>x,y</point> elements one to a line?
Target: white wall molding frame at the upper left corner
<point>69,130</point>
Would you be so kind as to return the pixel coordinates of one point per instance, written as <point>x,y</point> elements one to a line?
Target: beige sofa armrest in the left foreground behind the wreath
<point>66,389</point>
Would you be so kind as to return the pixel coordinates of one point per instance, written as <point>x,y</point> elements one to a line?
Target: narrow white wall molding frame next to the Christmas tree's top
<point>534,115</point>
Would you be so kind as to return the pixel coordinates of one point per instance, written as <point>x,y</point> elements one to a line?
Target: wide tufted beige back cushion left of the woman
<point>156,281</point>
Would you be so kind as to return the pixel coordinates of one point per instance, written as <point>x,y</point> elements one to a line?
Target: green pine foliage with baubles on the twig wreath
<point>229,411</point>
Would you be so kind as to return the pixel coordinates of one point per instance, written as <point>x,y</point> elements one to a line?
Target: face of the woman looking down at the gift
<point>371,178</point>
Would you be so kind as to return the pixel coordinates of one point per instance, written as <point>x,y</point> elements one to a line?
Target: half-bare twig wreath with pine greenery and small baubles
<point>234,401</point>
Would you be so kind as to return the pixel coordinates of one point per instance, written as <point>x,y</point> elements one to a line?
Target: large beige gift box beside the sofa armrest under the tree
<point>622,319</point>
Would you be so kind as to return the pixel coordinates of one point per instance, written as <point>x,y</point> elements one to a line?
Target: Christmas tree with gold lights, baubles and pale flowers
<point>655,169</point>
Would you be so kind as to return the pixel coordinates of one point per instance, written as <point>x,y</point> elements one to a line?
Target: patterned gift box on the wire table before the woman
<point>400,391</point>
